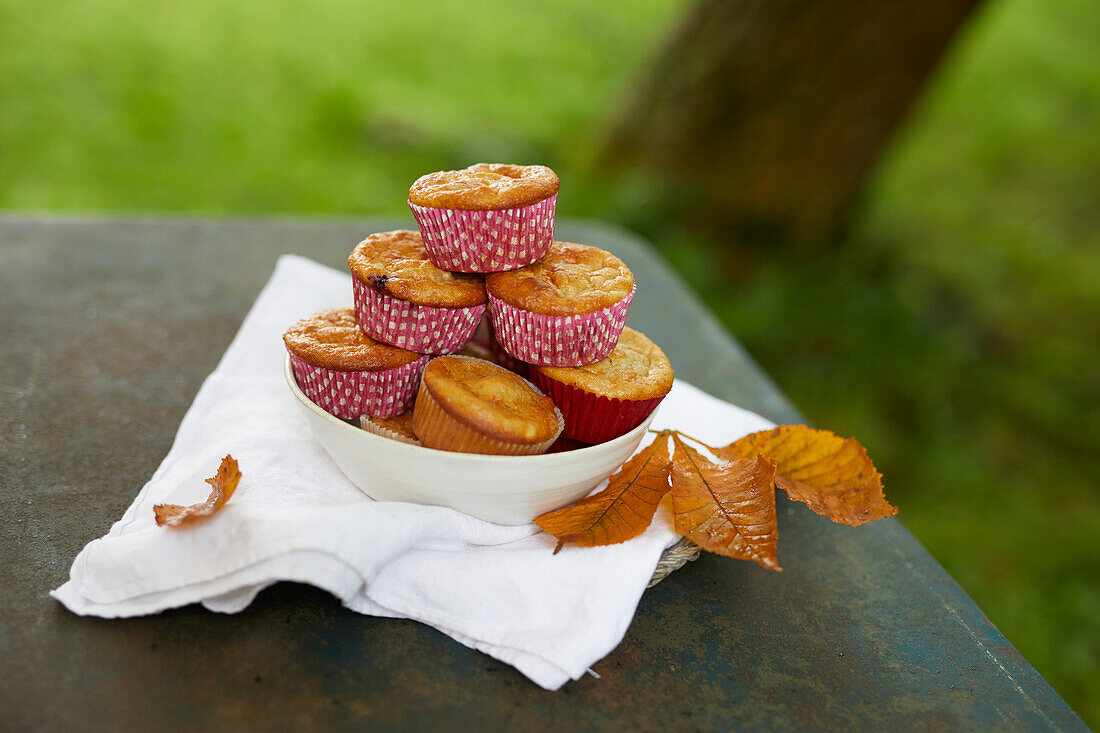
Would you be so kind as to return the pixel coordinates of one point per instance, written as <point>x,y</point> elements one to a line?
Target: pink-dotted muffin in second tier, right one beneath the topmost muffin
<point>567,310</point>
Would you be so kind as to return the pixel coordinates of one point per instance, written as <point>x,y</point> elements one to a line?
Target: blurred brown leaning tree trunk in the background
<point>774,112</point>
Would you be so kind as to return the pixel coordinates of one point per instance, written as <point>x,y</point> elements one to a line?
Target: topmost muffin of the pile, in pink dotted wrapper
<point>487,218</point>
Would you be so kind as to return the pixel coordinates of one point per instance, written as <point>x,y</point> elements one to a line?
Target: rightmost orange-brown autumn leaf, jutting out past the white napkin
<point>831,475</point>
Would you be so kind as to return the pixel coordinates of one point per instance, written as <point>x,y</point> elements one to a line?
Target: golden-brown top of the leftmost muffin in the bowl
<point>333,340</point>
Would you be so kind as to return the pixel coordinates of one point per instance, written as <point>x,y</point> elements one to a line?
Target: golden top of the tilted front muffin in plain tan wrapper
<point>491,400</point>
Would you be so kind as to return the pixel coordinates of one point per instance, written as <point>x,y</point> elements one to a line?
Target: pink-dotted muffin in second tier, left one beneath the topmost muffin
<point>405,301</point>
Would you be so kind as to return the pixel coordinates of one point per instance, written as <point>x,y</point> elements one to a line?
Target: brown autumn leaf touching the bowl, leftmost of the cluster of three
<point>621,511</point>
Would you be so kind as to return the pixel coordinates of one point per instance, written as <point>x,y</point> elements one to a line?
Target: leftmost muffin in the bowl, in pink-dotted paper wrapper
<point>348,374</point>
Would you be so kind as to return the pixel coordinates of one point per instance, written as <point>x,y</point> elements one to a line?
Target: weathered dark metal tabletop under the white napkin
<point>108,330</point>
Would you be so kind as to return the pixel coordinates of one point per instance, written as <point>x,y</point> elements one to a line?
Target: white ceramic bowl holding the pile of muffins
<point>501,489</point>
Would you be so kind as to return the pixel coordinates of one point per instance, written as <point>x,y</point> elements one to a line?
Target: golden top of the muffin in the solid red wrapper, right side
<point>637,369</point>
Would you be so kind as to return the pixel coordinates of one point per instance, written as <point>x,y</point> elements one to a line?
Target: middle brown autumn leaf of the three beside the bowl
<point>729,509</point>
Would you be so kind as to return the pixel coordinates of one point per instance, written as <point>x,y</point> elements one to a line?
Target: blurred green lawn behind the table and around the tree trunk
<point>956,332</point>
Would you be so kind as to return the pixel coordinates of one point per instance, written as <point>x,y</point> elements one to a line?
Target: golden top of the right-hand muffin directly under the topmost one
<point>571,279</point>
